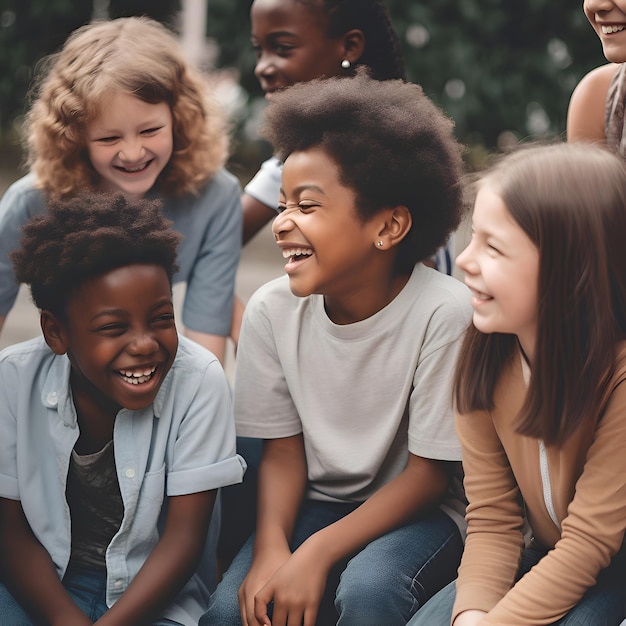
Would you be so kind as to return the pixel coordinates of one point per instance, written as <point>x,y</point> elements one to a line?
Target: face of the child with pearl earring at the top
<point>291,44</point>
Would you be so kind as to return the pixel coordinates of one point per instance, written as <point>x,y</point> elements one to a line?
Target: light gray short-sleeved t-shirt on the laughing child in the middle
<point>362,394</point>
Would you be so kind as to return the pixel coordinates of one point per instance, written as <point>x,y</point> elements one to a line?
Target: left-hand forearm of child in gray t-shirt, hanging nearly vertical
<point>281,487</point>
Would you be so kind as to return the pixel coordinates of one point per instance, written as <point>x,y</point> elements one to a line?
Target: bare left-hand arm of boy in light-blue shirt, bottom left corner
<point>30,574</point>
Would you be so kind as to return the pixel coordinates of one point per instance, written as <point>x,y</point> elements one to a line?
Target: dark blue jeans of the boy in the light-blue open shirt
<point>86,587</point>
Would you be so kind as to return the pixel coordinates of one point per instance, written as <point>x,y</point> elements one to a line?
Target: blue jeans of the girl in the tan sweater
<point>604,604</point>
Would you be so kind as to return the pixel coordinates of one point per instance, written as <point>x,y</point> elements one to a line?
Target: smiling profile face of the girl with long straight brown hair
<point>501,266</point>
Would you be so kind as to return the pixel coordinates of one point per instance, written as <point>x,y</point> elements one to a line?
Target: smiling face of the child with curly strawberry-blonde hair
<point>129,143</point>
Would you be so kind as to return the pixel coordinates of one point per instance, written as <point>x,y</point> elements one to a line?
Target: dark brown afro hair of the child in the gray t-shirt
<point>392,144</point>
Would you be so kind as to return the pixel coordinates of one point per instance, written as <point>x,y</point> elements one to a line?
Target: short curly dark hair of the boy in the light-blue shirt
<point>88,236</point>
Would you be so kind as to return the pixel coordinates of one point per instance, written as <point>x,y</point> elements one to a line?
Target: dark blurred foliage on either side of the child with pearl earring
<point>500,69</point>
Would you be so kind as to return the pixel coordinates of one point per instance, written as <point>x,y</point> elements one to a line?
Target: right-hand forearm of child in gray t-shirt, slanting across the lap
<point>419,487</point>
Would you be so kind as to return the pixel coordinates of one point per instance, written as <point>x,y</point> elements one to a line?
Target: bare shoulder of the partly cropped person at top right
<point>586,112</point>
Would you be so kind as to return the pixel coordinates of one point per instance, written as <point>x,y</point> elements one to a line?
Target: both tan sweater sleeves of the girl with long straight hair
<point>591,532</point>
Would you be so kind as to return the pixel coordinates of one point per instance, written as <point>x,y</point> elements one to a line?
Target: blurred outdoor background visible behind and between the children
<point>504,71</point>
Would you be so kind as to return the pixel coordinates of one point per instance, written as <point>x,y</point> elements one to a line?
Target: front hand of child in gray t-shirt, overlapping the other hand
<point>296,589</point>
